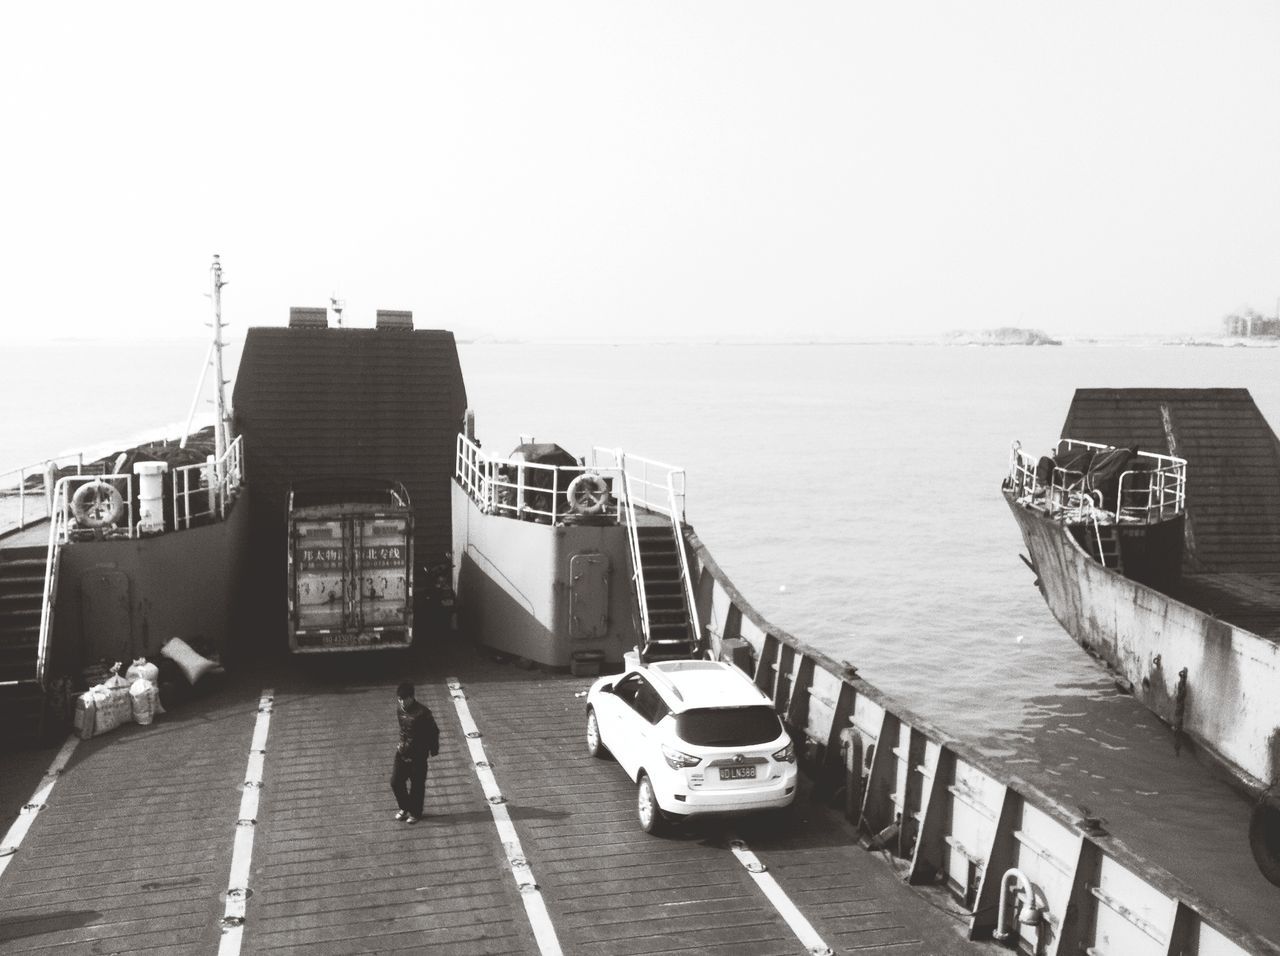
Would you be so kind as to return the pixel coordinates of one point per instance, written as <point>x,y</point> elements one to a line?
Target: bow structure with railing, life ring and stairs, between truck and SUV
<point>570,562</point>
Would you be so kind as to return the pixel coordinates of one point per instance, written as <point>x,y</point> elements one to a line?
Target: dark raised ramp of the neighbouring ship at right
<point>1233,472</point>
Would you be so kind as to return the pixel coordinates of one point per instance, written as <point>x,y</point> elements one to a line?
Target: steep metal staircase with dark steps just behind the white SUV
<point>662,579</point>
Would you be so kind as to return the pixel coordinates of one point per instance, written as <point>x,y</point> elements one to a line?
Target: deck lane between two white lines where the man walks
<point>333,873</point>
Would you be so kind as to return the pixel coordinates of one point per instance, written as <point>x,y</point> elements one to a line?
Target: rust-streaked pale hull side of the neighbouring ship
<point>1231,707</point>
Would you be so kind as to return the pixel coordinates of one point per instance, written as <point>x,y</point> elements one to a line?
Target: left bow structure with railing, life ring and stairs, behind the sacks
<point>104,561</point>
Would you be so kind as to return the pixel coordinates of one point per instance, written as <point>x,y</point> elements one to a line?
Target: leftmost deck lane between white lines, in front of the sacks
<point>134,849</point>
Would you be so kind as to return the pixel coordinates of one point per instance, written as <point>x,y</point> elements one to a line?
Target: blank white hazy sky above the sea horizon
<point>642,168</point>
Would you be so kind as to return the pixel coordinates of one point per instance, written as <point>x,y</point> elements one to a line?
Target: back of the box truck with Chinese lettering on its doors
<point>353,577</point>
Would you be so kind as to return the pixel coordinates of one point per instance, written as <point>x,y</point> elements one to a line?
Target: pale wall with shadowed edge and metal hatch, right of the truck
<point>520,586</point>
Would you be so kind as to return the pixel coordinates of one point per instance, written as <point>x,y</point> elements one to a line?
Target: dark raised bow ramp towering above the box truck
<point>382,404</point>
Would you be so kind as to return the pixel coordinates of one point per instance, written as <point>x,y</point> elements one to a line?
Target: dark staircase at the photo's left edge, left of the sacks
<point>22,591</point>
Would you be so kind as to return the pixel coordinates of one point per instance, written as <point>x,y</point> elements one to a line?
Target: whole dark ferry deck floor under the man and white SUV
<point>132,852</point>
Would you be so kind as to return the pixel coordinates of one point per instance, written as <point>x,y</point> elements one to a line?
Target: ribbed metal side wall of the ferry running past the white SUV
<point>950,816</point>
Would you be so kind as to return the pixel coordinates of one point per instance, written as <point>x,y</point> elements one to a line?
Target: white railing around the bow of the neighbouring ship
<point>1155,492</point>
